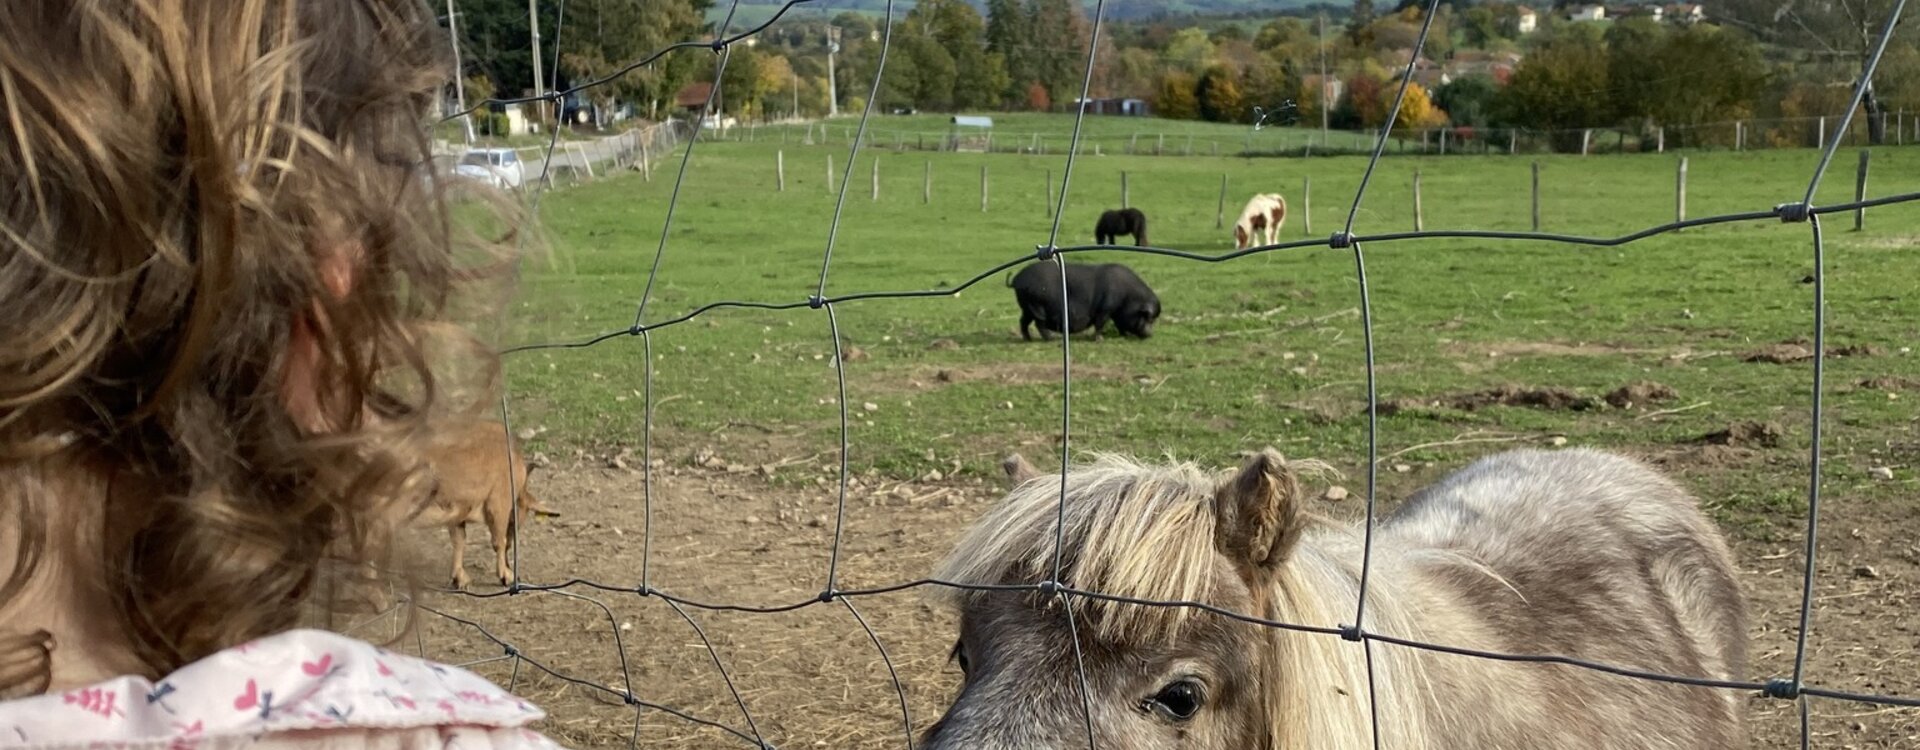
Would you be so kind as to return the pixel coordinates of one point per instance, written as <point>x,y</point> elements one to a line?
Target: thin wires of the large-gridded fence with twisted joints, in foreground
<point>1804,210</point>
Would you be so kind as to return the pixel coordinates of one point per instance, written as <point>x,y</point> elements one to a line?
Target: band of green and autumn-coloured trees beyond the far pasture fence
<point>1339,66</point>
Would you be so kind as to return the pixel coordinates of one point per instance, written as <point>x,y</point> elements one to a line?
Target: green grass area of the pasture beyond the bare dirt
<point>1257,352</point>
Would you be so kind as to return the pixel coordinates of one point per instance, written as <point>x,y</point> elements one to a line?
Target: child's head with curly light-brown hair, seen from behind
<point>220,250</point>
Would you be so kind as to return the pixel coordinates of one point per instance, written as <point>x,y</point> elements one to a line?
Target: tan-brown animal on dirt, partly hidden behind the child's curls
<point>471,482</point>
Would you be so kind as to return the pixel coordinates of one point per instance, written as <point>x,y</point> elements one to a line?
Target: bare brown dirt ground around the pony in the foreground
<point>811,676</point>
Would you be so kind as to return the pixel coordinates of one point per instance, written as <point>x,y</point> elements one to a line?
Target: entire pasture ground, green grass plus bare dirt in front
<point>1262,350</point>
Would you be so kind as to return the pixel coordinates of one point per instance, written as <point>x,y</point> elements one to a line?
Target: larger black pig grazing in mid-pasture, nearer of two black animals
<point>1095,296</point>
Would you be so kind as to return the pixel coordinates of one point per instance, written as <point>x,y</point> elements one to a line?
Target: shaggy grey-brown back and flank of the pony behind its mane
<point>1598,557</point>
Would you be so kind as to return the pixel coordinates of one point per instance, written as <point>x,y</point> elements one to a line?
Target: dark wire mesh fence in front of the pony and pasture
<point>1796,686</point>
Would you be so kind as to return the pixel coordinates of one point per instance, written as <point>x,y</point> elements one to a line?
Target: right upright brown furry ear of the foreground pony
<point>1259,511</point>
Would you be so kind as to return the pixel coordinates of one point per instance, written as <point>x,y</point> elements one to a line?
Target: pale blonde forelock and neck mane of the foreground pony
<point>1147,532</point>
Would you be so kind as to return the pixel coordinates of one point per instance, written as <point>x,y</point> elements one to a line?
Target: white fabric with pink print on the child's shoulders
<point>300,690</point>
